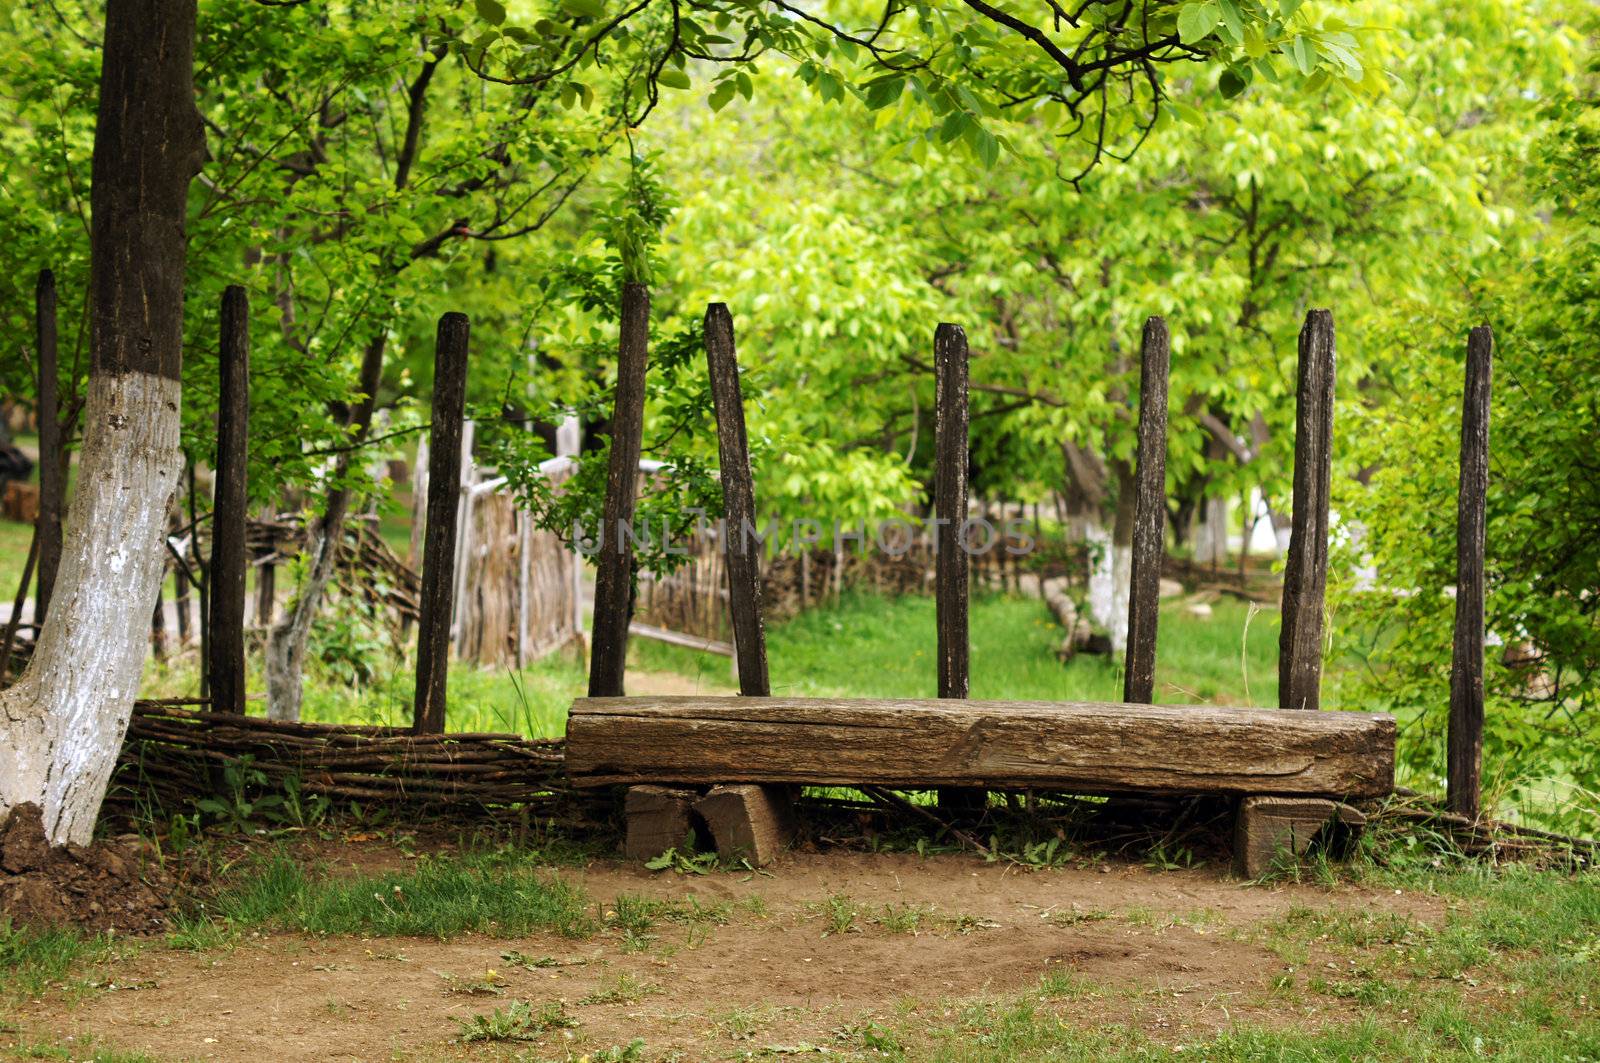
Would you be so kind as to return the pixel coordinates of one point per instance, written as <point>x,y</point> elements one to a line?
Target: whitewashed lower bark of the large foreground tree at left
<point>63,723</point>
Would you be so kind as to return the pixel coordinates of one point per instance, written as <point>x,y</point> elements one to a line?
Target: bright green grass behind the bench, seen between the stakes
<point>884,648</point>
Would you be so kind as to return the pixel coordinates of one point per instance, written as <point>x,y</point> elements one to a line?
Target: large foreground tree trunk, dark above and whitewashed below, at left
<point>62,726</point>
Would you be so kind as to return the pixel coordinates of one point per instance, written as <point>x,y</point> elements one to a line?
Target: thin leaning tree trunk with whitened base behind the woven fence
<point>287,641</point>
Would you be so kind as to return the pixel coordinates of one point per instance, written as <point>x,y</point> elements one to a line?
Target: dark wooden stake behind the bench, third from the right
<point>1150,519</point>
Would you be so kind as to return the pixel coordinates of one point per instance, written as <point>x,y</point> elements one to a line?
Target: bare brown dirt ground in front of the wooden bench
<point>1170,953</point>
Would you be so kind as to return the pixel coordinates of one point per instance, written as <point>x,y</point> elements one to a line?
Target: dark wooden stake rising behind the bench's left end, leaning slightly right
<point>615,563</point>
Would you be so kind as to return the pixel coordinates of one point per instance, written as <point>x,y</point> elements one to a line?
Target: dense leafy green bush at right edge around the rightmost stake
<point>1543,507</point>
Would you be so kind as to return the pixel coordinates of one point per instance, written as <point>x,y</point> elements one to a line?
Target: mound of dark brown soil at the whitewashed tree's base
<point>106,886</point>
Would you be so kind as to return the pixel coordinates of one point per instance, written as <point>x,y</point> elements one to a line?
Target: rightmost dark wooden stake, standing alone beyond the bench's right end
<point>1466,667</point>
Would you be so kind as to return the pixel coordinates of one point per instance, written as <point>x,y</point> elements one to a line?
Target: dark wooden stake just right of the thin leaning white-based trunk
<point>439,544</point>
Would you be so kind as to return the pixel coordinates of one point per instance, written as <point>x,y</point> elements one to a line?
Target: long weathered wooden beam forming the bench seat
<point>1058,745</point>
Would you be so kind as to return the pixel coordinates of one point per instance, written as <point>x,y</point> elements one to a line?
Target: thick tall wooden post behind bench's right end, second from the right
<point>1306,571</point>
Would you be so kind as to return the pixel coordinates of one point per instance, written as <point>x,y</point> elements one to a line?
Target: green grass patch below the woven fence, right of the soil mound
<point>500,894</point>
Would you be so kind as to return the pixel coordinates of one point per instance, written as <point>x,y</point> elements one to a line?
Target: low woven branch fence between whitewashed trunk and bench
<point>177,752</point>
